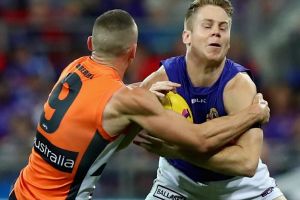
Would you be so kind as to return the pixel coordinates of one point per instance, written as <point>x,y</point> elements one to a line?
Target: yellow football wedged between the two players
<point>177,103</point>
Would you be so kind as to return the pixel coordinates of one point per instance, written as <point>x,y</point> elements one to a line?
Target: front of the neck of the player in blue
<point>203,73</point>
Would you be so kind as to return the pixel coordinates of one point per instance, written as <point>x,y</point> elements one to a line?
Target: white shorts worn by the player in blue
<point>172,184</point>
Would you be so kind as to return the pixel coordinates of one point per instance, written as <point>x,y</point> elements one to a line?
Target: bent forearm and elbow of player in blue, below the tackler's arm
<point>239,159</point>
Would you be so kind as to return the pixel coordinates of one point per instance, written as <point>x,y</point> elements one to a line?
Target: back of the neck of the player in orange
<point>116,63</point>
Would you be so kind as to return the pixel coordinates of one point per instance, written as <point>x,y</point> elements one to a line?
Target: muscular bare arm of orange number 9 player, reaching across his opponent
<point>140,106</point>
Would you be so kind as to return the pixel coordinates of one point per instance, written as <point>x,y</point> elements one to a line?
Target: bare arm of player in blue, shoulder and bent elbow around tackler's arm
<point>242,157</point>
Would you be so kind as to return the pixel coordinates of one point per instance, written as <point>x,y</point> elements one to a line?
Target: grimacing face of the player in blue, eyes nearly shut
<point>210,34</point>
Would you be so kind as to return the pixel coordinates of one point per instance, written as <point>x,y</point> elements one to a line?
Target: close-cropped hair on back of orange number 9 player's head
<point>113,33</point>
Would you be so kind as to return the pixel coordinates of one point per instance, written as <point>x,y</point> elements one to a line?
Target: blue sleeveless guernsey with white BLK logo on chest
<point>205,103</point>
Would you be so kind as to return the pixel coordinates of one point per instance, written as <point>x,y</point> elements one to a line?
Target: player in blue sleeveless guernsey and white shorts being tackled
<point>213,86</point>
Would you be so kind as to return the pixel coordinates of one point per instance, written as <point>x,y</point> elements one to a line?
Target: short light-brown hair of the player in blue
<point>196,4</point>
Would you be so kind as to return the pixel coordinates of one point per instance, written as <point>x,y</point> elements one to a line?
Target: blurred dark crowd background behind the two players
<point>40,37</point>
